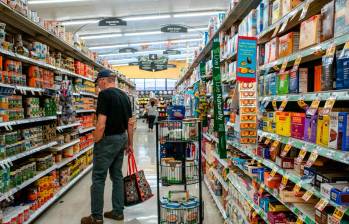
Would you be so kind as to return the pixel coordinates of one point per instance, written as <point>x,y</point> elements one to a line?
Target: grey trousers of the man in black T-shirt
<point>108,154</point>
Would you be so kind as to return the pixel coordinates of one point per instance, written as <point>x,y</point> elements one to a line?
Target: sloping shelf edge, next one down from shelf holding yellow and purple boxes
<point>292,176</point>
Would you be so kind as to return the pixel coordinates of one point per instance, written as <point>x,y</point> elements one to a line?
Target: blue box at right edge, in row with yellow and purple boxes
<point>343,131</point>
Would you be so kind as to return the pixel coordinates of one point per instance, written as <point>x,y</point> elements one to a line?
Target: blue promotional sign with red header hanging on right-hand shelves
<point>246,59</point>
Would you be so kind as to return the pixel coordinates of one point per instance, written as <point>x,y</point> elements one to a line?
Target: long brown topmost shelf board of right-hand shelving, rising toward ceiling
<point>240,11</point>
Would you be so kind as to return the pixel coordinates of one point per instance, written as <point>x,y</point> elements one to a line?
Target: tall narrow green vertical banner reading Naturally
<point>219,125</point>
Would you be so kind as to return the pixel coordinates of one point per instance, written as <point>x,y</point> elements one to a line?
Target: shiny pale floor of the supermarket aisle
<point>76,203</point>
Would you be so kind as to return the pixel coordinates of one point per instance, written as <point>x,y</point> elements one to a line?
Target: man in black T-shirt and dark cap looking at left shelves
<point>113,119</point>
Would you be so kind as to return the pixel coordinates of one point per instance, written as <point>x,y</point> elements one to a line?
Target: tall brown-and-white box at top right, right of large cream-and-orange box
<point>327,21</point>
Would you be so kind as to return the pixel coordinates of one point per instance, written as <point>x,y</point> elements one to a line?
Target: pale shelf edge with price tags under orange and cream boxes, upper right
<point>308,53</point>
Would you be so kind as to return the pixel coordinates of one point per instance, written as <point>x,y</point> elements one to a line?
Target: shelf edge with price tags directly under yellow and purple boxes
<point>337,155</point>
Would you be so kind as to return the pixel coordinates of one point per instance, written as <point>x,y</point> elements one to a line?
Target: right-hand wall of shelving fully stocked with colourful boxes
<point>297,171</point>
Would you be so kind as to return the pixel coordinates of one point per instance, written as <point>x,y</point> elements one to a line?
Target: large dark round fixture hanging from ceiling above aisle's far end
<point>153,63</point>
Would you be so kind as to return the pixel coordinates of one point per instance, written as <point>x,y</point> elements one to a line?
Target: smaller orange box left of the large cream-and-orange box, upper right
<point>288,44</point>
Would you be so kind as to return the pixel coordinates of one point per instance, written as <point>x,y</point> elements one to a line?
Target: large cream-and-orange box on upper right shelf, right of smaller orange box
<point>310,32</point>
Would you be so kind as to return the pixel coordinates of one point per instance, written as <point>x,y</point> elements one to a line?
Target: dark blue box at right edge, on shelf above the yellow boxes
<point>342,70</point>
